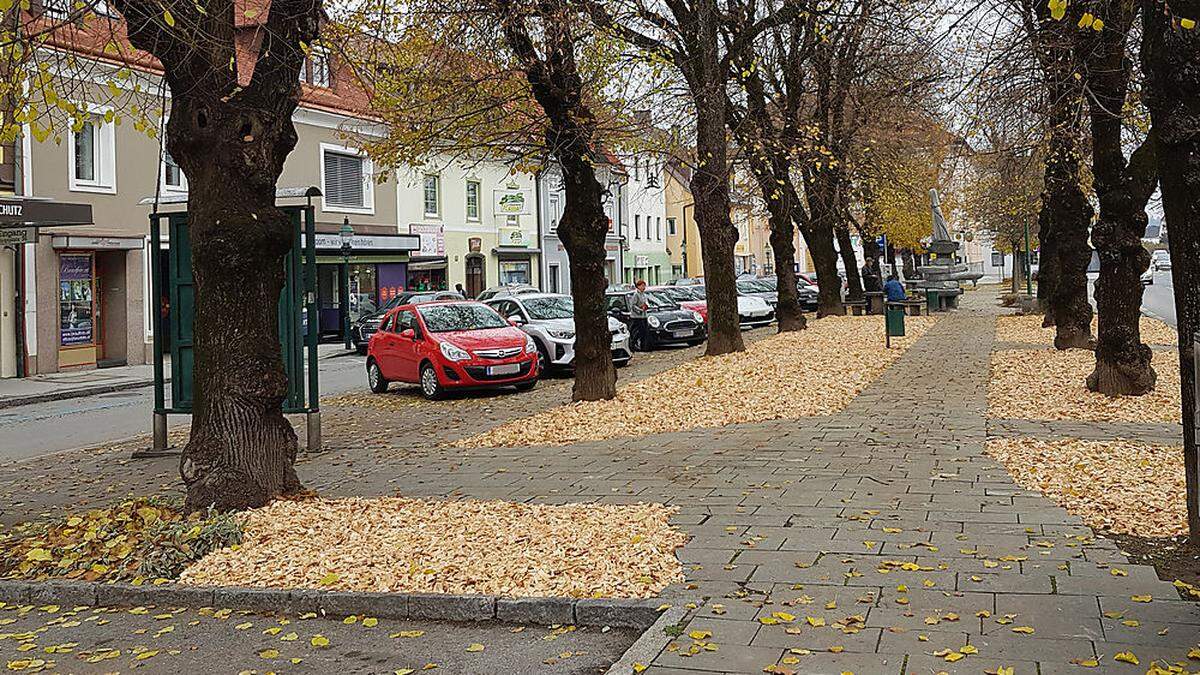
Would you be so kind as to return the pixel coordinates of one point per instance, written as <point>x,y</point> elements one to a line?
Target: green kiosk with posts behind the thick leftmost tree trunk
<point>171,277</point>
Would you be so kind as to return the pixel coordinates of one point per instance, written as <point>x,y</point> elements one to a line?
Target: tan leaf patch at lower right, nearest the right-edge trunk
<point>1117,486</point>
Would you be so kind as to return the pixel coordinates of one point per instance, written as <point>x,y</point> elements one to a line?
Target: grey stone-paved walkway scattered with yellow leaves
<point>878,541</point>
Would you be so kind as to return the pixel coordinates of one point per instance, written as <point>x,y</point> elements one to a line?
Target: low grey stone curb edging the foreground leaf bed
<point>626,613</point>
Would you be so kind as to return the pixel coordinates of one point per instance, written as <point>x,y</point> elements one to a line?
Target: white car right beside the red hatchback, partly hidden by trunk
<point>550,320</point>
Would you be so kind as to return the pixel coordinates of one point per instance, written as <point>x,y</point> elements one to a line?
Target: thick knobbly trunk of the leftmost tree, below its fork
<point>242,449</point>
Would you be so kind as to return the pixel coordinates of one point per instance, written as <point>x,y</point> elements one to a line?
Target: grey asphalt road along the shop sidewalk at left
<point>51,427</point>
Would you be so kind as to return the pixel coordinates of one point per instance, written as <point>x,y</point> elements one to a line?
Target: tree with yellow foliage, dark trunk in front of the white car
<point>527,85</point>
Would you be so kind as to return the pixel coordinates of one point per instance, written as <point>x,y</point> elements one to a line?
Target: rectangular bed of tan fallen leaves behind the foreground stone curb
<point>452,547</point>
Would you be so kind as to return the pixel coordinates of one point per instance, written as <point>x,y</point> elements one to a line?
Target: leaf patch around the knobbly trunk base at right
<point>1051,385</point>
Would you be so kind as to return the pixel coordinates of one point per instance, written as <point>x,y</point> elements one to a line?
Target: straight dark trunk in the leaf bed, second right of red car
<point>718,236</point>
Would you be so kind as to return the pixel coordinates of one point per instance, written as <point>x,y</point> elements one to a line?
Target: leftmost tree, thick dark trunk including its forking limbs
<point>231,139</point>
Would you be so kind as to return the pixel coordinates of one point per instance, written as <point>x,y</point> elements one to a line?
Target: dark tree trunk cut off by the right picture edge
<point>1171,58</point>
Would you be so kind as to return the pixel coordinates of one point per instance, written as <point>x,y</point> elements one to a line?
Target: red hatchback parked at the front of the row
<point>457,345</point>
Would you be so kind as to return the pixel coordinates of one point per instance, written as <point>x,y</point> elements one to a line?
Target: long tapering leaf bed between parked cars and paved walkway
<point>791,375</point>
